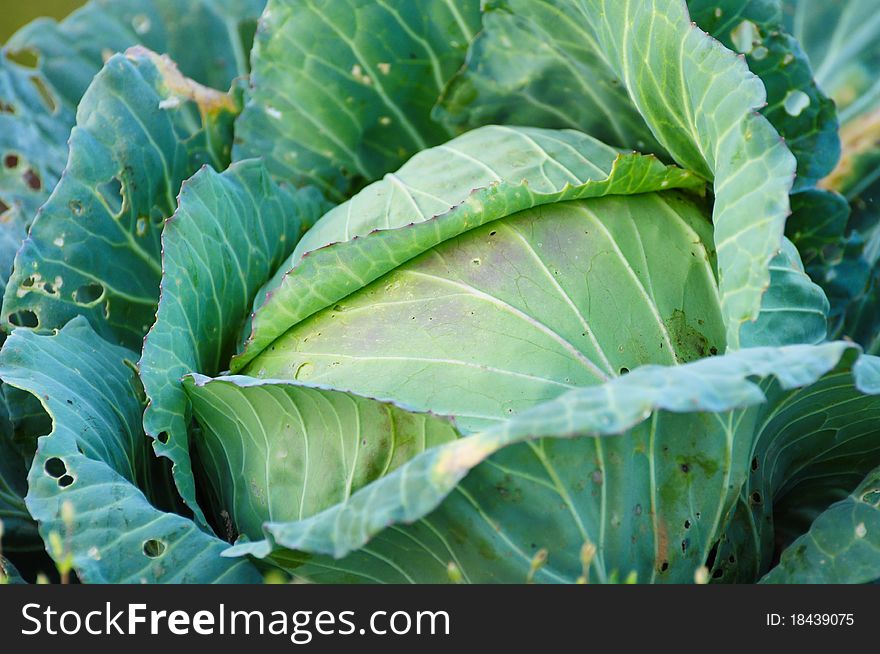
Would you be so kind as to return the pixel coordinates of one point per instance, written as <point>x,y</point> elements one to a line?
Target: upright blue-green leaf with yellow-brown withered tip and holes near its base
<point>94,248</point>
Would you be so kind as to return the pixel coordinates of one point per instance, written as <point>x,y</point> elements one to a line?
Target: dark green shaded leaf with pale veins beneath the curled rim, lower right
<point>815,446</point>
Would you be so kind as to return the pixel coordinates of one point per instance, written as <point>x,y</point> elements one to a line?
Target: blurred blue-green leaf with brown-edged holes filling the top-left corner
<point>210,41</point>
